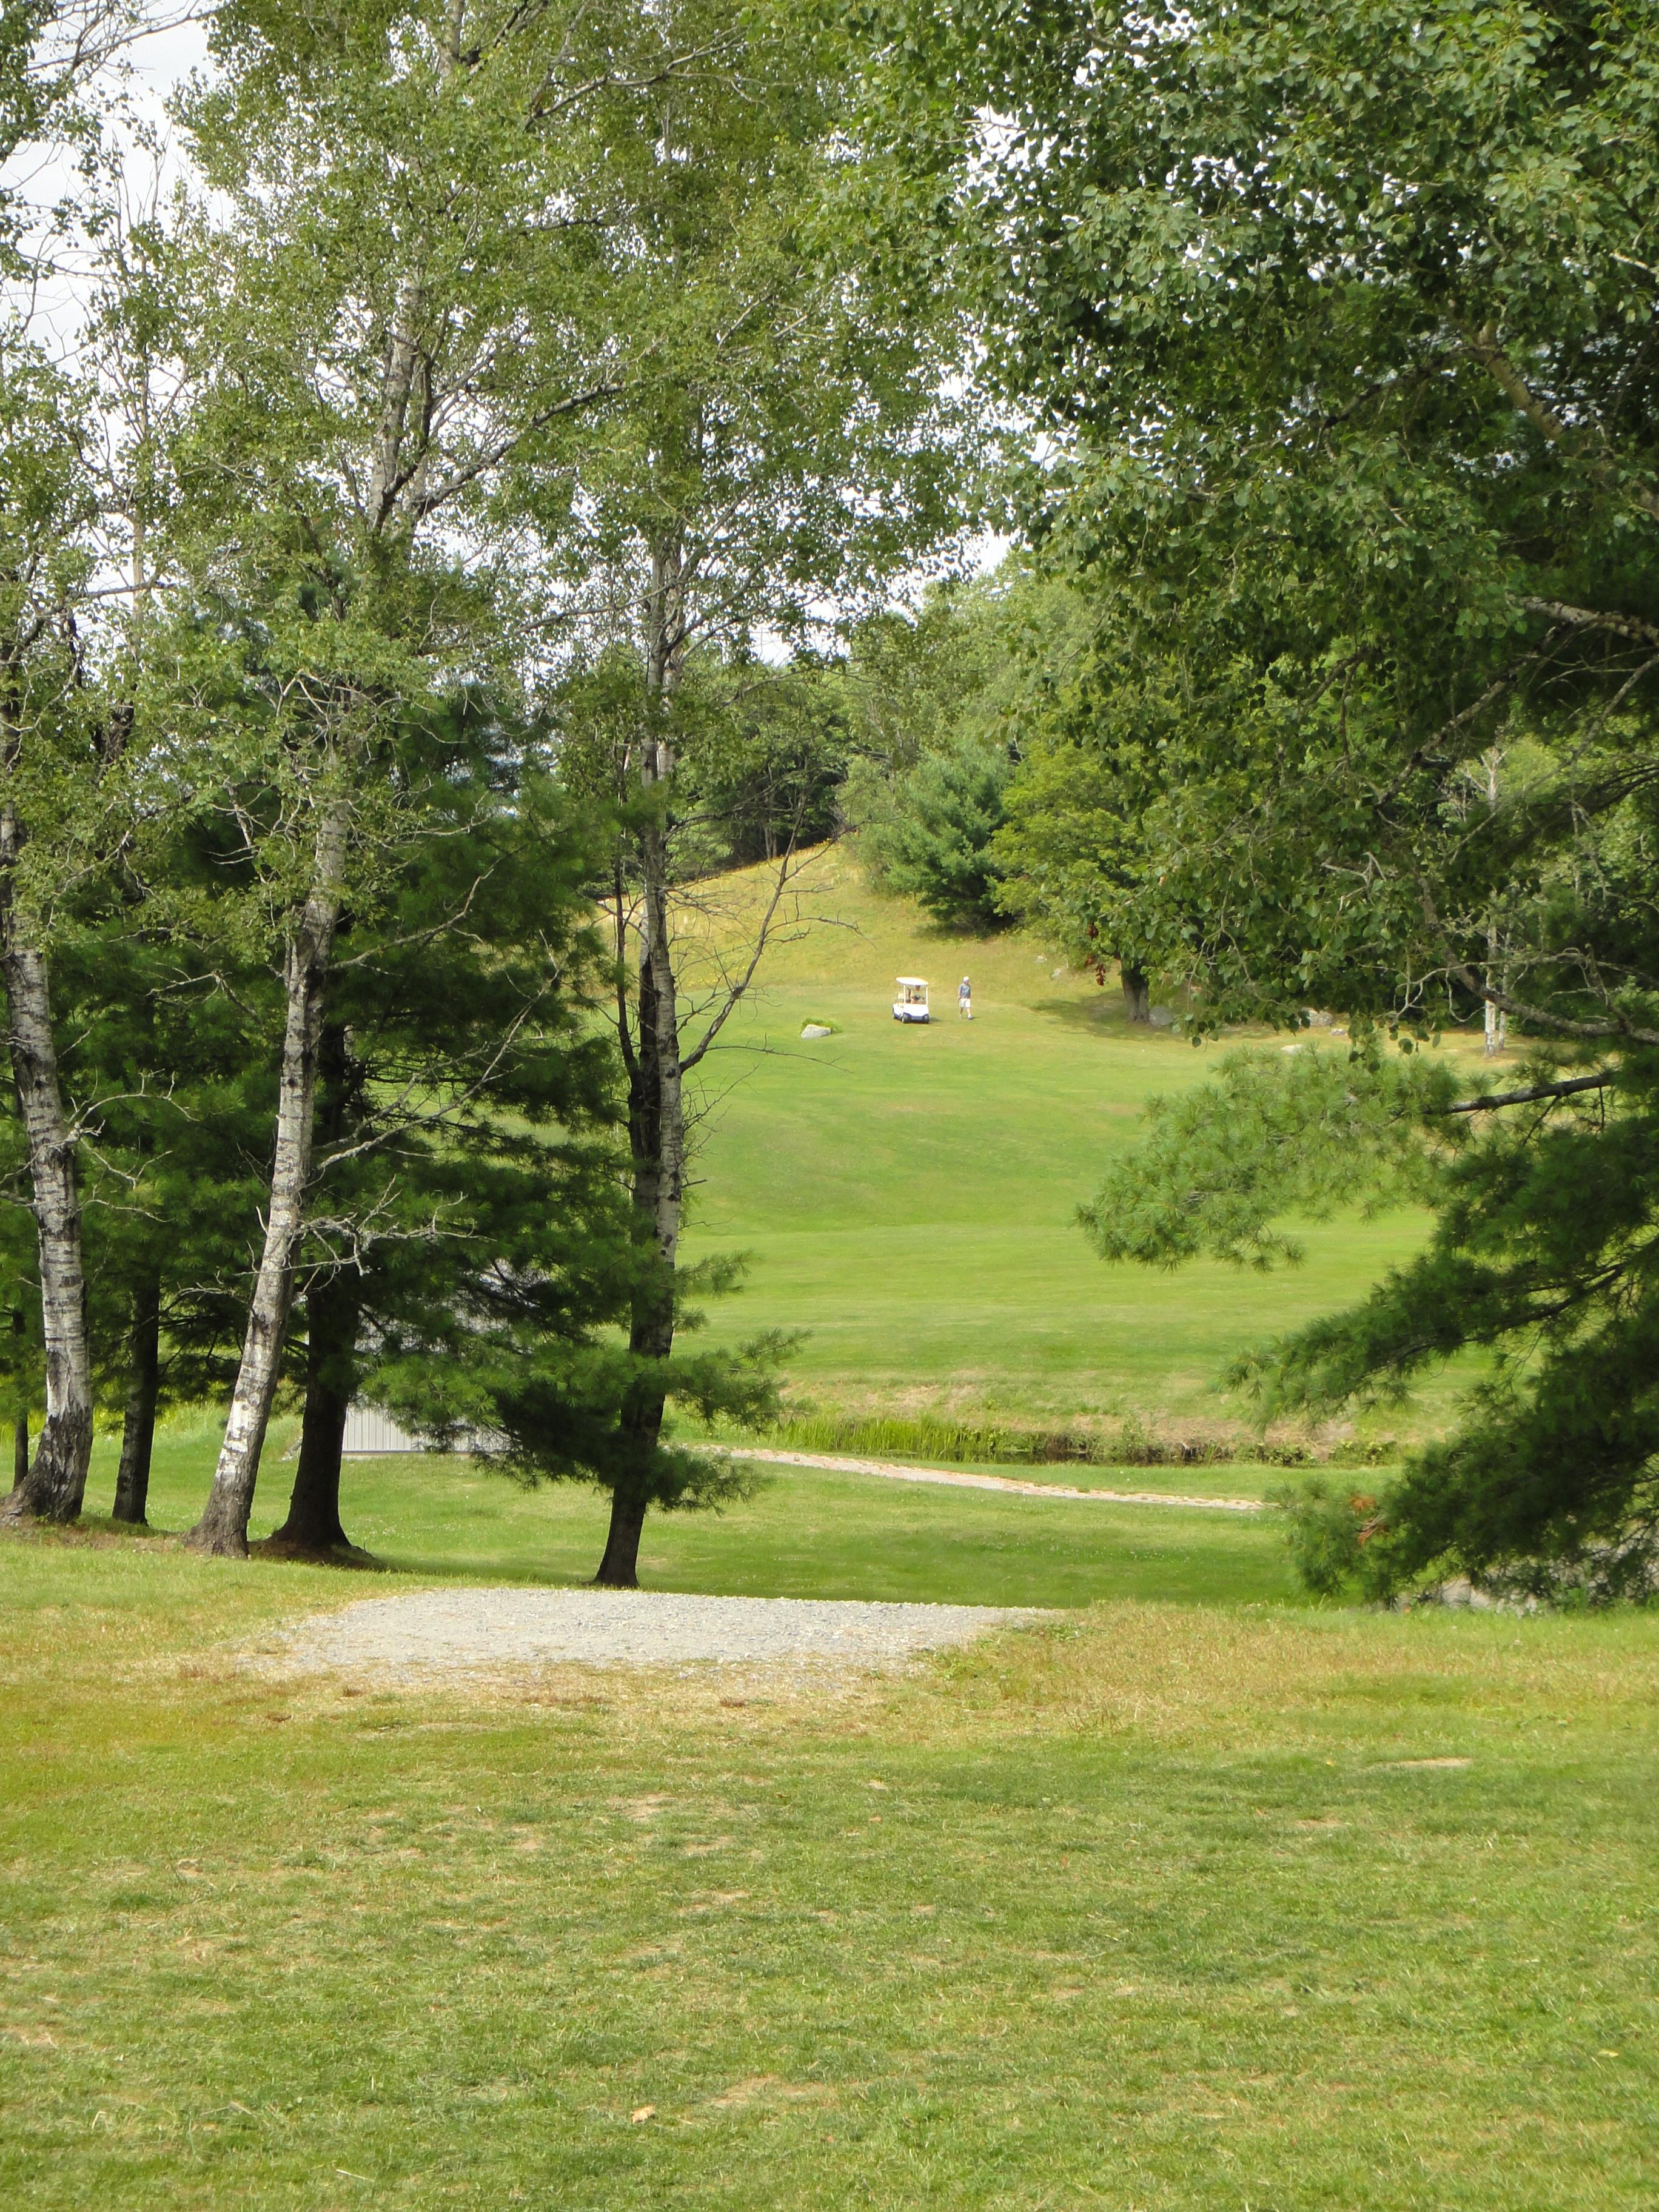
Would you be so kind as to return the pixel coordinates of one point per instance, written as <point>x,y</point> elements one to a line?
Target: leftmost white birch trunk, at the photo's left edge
<point>56,1481</point>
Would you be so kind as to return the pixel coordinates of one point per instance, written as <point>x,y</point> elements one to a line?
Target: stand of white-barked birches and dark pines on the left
<point>379,585</point>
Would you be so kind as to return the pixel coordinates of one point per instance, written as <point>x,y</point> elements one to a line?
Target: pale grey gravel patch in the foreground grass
<point>457,1631</point>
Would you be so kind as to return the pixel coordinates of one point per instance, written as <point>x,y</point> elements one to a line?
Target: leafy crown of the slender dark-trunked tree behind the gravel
<point>784,439</point>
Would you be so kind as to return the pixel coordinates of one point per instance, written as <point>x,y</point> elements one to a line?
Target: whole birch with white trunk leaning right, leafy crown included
<point>406,315</point>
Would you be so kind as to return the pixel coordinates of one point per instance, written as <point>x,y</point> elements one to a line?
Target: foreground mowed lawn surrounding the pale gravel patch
<point>1156,1908</point>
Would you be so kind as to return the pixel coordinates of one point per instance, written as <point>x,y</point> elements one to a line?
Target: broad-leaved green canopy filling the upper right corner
<point>1373,658</point>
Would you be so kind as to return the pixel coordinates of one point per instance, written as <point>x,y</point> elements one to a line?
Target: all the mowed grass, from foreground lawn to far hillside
<point>1191,1897</point>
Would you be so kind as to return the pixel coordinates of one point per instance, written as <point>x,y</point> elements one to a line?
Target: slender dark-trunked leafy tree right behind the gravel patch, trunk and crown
<point>782,452</point>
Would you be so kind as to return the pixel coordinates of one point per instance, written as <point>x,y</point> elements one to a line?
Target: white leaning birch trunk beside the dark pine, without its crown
<point>225,1521</point>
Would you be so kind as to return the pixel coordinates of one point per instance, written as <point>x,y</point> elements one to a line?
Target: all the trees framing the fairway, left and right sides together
<point>384,585</point>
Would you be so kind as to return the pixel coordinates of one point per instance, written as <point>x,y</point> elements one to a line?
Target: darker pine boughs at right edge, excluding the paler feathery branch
<point>1543,1253</point>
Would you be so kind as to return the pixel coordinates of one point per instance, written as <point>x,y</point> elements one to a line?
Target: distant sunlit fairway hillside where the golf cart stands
<point>908,1196</point>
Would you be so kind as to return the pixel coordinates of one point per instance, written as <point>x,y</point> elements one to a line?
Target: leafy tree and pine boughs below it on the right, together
<point>1344,337</point>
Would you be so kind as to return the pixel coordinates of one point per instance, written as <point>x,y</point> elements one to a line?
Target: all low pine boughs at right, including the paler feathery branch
<point>1541,1258</point>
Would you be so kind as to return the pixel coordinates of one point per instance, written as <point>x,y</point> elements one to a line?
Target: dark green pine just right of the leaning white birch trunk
<point>468,1114</point>
